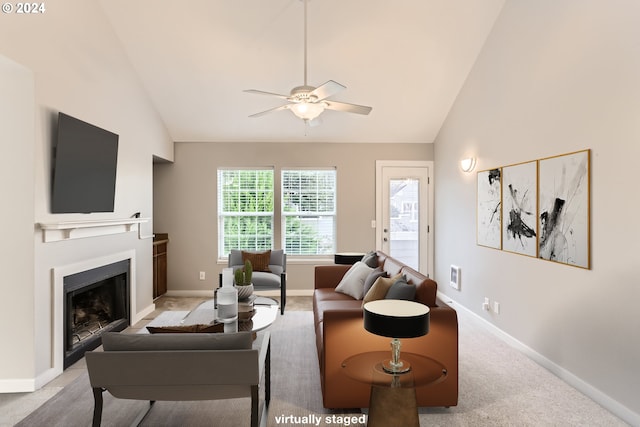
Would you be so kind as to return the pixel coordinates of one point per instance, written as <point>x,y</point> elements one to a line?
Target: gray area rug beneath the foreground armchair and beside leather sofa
<point>296,398</point>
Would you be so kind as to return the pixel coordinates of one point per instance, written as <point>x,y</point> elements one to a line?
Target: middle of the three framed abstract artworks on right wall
<point>519,208</point>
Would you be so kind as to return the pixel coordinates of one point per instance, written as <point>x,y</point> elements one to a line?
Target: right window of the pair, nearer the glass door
<point>309,211</point>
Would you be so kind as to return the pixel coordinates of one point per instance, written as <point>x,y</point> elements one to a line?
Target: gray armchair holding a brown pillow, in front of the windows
<point>276,279</point>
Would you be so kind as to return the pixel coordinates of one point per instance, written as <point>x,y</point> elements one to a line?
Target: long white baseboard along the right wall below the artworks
<point>579,384</point>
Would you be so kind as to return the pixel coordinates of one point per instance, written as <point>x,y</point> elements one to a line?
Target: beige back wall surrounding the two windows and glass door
<point>185,199</point>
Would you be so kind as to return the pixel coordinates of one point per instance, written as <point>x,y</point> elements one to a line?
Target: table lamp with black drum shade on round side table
<point>396,319</point>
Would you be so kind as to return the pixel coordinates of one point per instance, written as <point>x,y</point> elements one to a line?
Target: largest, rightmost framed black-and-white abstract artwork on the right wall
<point>564,209</point>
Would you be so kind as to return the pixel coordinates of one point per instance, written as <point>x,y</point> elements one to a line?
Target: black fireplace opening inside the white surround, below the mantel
<point>95,301</point>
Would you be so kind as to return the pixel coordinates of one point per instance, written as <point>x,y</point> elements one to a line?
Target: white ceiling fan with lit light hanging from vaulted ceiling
<point>308,102</point>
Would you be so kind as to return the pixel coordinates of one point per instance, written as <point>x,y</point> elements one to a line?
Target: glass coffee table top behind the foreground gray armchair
<point>265,312</point>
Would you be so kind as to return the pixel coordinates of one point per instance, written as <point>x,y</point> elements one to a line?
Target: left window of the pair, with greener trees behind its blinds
<point>245,209</point>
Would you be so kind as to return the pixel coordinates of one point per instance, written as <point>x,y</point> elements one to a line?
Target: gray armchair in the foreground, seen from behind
<point>180,367</point>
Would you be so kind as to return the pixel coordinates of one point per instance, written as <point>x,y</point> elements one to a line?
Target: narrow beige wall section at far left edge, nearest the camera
<point>17,217</point>
